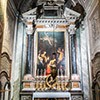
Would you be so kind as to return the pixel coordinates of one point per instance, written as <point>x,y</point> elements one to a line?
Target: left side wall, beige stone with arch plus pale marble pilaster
<point>13,60</point>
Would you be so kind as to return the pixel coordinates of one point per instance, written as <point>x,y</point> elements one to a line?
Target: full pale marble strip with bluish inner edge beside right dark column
<point>82,61</point>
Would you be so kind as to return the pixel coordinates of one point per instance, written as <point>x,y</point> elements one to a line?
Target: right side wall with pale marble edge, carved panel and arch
<point>92,25</point>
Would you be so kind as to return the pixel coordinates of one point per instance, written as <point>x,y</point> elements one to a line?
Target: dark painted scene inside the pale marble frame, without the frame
<point>51,42</point>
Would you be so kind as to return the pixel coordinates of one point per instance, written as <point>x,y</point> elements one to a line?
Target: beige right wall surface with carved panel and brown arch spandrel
<point>94,34</point>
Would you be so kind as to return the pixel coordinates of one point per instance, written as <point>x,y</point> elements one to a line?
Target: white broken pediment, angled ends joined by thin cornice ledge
<point>69,15</point>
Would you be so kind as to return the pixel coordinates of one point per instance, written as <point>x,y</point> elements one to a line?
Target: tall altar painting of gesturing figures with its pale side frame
<point>50,52</point>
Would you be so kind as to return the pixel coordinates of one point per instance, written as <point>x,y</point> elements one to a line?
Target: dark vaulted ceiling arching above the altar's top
<point>26,5</point>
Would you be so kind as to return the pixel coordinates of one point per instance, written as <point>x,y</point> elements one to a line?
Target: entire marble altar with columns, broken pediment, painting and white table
<point>51,71</point>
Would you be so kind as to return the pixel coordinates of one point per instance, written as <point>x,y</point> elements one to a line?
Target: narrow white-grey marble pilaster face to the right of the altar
<point>84,64</point>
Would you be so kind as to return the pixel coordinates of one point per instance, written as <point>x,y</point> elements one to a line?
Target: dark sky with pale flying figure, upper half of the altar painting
<point>50,41</point>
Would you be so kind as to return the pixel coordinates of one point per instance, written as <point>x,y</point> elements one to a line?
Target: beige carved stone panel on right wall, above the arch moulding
<point>94,22</point>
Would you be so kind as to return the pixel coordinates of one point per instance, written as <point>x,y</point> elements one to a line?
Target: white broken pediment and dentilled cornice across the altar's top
<point>67,18</point>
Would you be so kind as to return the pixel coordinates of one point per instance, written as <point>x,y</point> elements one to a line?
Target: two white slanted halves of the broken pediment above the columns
<point>69,15</point>
